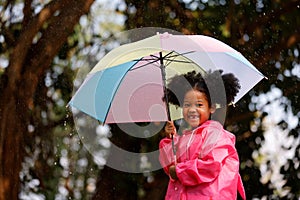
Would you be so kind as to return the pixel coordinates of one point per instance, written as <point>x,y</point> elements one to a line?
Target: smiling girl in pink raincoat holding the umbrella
<point>207,163</point>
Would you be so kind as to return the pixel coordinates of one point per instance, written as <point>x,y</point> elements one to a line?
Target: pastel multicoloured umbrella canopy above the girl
<point>129,83</point>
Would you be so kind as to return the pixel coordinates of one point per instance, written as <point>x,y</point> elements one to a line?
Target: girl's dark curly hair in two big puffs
<point>219,89</point>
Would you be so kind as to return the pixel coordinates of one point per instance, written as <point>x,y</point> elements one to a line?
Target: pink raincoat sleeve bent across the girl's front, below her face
<point>216,152</point>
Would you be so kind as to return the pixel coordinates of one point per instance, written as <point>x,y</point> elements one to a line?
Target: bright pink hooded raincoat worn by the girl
<point>207,164</point>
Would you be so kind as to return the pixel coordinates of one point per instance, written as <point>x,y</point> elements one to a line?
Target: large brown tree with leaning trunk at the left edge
<point>33,42</point>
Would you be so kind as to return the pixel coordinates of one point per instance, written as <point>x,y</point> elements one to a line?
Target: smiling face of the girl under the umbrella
<point>196,108</point>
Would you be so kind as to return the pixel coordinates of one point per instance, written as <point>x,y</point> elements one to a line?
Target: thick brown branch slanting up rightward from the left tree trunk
<point>43,52</point>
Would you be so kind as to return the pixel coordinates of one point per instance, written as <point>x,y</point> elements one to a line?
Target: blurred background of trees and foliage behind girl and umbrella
<point>46,48</point>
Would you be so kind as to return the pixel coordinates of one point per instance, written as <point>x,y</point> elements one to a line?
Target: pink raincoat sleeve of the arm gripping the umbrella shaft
<point>166,155</point>
